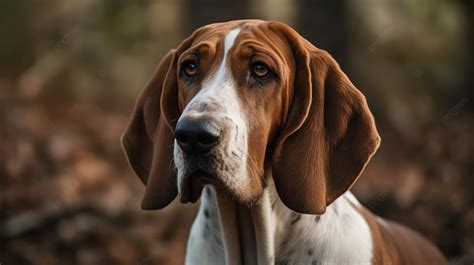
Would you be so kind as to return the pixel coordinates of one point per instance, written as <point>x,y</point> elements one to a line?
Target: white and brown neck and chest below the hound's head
<point>260,234</point>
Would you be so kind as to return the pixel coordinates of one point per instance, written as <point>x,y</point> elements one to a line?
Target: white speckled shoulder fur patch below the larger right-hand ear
<point>339,236</point>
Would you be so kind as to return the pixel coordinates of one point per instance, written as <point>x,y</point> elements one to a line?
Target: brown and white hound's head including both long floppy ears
<point>241,101</point>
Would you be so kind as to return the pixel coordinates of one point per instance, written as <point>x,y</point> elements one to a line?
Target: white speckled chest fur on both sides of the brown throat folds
<point>339,236</point>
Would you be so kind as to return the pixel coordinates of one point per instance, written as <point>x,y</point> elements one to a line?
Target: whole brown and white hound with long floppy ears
<point>270,134</point>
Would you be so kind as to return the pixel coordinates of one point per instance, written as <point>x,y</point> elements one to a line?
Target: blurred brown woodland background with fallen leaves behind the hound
<point>70,72</point>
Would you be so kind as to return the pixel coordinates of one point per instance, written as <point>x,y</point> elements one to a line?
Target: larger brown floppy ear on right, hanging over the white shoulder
<point>329,135</point>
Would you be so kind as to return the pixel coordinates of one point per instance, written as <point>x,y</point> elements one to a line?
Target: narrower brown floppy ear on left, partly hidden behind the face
<point>148,139</point>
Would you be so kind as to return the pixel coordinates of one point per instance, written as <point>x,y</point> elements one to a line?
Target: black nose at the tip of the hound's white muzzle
<point>196,136</point>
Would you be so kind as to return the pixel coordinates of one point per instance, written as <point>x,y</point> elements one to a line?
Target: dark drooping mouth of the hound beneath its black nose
<point>192,186</point>
